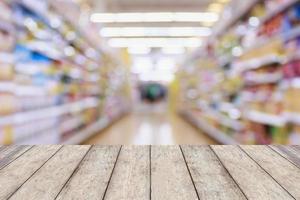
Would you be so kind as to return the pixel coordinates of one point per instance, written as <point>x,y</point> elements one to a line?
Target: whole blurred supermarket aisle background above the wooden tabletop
<point>69,68</point>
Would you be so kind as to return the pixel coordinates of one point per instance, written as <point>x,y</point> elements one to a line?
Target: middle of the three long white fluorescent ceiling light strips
<point>155,32</point>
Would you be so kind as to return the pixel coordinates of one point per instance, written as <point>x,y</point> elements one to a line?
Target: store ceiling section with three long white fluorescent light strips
<point>126,20</point>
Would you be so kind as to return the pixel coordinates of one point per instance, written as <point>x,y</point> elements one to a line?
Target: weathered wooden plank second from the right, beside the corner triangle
<point>283,171</point>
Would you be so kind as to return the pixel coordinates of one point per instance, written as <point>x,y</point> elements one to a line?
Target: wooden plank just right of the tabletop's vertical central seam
<point>170,178</point>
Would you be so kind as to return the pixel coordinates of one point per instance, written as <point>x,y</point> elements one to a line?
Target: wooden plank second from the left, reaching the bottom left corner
<point>15,174</point>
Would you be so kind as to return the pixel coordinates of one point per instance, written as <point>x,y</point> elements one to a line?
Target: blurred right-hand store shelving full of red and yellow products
<point>252,76</point>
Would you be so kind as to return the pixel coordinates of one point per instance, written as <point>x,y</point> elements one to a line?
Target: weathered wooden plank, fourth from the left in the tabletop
<point>91,179</point>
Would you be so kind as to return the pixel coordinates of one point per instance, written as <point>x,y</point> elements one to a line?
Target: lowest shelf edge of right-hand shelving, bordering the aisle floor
<point>211,131</point>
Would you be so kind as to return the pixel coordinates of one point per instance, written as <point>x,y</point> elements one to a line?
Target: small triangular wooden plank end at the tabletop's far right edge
<point>289,152</point>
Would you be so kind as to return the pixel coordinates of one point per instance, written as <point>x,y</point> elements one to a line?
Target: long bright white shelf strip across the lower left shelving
<point>54,111</point>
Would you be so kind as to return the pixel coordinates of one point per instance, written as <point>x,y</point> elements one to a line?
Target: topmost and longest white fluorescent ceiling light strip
<point>154,17</point>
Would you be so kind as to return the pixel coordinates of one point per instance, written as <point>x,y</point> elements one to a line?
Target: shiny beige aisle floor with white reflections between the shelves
<point>151,129</point>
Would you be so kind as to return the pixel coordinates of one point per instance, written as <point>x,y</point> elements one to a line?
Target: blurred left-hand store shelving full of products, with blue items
<point>58,90</point>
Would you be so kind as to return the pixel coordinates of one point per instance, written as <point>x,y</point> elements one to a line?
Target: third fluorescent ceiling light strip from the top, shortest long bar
<point>154,42</point>
